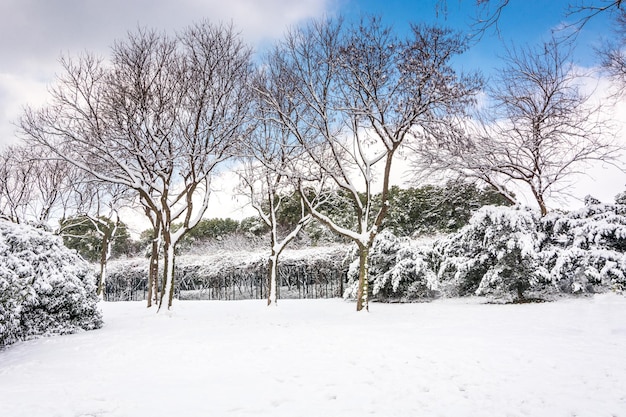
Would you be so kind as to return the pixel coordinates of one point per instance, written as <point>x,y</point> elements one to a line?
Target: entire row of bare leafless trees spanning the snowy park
<point>319,117</point>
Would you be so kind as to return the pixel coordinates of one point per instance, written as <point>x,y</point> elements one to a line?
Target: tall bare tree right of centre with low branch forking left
<point>355,95</point>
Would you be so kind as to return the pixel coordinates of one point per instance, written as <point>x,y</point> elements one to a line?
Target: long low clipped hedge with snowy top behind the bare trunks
<point>315,272</point>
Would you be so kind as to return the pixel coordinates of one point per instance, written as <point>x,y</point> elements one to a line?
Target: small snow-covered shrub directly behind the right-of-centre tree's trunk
<point>397,271</point>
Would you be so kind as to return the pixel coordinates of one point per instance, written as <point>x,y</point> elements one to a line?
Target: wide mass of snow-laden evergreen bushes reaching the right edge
<point>508,251</point>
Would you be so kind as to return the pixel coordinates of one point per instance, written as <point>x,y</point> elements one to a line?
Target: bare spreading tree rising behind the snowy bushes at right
<point>540,129</point>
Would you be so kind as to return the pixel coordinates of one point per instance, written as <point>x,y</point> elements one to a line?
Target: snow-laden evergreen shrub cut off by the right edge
<point>585,249</point>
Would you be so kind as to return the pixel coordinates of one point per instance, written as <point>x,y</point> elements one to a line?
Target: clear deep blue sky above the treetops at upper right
<point>522,22</point>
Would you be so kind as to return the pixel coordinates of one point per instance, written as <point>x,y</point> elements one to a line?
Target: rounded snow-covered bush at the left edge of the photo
<point>44,287</point>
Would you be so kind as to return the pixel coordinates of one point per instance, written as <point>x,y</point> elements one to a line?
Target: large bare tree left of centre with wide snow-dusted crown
<point>157,120</point>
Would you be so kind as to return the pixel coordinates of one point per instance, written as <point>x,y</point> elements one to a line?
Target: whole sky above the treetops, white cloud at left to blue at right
<point>35,33</point>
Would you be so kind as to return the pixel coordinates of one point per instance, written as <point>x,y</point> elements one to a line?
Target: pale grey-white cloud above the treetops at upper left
<point>34,33</point>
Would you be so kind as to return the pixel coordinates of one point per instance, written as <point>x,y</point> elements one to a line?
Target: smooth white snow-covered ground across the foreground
<point>456,357</point>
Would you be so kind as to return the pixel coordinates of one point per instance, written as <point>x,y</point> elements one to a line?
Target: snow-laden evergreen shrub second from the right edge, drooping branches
<point>496,254</point>
